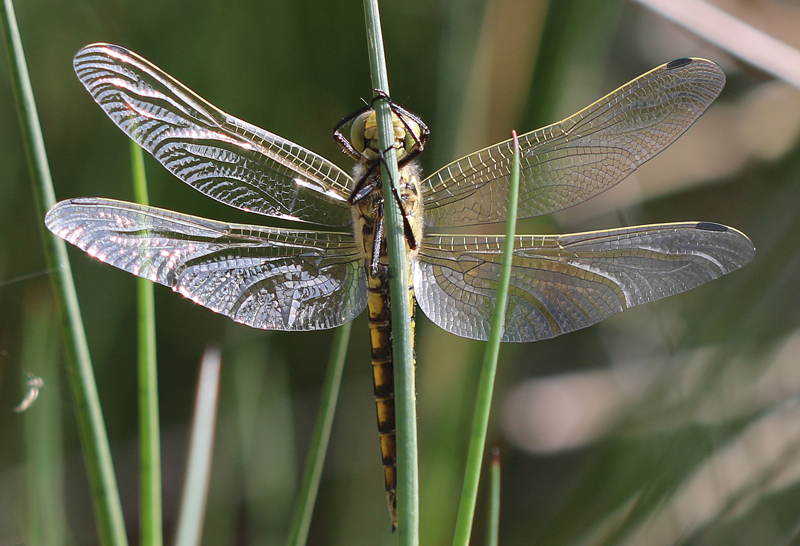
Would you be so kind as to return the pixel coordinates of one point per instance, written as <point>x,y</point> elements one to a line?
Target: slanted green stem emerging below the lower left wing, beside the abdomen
<point>319,441</point>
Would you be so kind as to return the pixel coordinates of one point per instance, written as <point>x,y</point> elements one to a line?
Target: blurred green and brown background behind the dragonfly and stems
<point>677,422</point>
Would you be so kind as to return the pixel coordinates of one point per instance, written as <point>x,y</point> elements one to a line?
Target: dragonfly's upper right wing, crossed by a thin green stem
<point>571,161</point>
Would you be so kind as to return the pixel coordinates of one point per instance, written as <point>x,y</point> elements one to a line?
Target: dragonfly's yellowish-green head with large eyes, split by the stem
<point>408,136</point>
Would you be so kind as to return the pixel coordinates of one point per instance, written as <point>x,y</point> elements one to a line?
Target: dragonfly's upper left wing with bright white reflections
<point>222,156</point>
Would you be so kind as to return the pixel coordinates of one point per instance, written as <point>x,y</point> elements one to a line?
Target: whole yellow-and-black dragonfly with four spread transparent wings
<point>310,279</point>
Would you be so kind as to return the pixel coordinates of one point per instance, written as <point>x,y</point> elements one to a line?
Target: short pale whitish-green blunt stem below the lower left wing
<point>201,447</point>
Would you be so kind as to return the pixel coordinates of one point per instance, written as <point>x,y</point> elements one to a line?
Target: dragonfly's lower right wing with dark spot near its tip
<point>561,283</point>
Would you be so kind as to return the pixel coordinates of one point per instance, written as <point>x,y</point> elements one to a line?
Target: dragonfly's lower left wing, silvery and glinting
<point>277,279</point>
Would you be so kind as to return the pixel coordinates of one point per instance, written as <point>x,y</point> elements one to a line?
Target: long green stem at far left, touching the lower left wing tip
<point>94,441</point>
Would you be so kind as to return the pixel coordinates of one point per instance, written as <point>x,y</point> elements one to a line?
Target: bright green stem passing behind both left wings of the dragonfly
<point>149,437</point>
